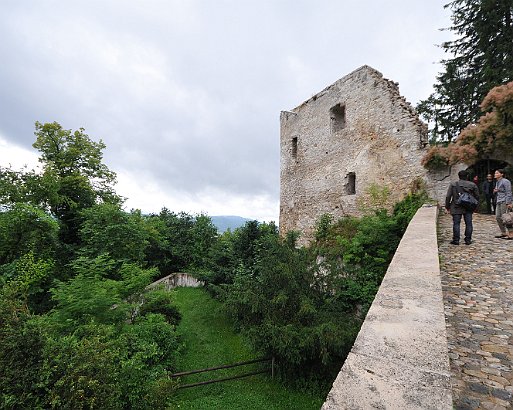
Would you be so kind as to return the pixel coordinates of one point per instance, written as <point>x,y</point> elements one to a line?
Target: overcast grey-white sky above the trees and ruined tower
<point>187,94</point>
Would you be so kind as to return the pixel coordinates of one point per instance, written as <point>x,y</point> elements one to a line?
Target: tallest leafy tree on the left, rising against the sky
<point>73,178</point>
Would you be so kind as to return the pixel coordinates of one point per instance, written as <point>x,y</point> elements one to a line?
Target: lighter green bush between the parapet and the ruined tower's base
<point>357,251</point>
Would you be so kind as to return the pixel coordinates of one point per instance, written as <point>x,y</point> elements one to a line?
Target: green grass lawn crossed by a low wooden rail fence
<point>210,341</point>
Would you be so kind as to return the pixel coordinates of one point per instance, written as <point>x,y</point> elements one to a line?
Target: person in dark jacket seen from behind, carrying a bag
<point>457,211</point>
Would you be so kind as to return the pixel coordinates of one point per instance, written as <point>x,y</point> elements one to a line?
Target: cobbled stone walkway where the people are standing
<point>477,283</point>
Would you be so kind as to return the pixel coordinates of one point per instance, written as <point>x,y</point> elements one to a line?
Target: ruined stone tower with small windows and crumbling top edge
<point>356,132</point>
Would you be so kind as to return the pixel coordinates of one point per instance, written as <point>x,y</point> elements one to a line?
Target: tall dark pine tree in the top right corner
<point>482,58</point>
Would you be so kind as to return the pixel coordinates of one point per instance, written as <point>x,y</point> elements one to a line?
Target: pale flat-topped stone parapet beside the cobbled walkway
<point>400,358</point>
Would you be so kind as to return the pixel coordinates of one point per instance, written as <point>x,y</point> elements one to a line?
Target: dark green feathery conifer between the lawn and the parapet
<point>280,302</point>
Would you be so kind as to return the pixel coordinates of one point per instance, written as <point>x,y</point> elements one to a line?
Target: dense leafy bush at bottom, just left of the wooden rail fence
<point>107,366</point>
